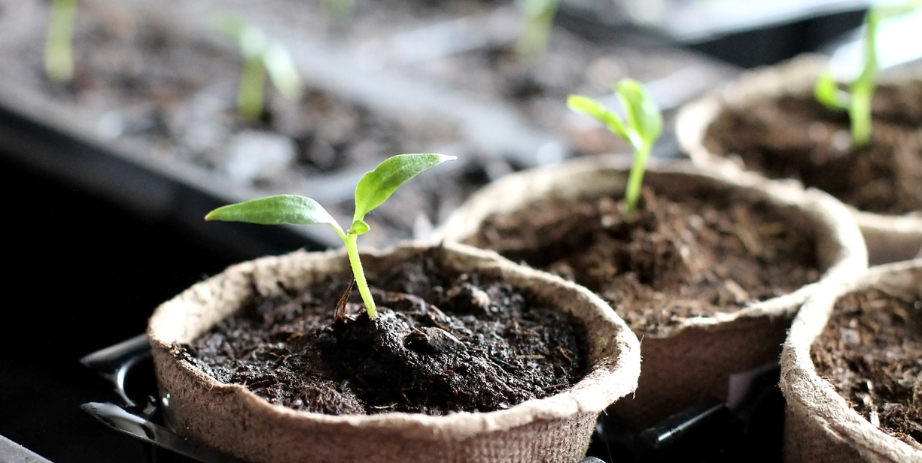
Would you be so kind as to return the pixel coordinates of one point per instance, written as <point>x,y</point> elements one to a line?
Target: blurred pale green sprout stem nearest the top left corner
<point>59,60</point>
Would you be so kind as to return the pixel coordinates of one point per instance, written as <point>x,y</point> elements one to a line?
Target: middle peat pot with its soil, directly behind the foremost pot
<point>656,281</point>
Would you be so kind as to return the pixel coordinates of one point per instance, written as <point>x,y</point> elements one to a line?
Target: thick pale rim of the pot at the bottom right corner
<point>799,380</point>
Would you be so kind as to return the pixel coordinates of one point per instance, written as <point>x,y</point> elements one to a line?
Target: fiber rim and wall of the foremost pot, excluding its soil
<point>233,420</point>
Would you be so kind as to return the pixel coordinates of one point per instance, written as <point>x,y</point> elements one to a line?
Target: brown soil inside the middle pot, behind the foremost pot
<point>675,260</point>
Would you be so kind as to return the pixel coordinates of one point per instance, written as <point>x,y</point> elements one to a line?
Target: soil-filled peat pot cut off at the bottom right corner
<point>850,370</point>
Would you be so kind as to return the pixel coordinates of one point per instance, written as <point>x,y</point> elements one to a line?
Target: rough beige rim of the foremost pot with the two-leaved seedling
<point>610,377</point>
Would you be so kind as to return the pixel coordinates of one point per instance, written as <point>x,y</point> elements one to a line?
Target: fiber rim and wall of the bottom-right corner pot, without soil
<point>819,425</point>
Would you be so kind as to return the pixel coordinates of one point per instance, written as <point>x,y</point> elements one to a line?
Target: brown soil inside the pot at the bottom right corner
<point>870,351</point>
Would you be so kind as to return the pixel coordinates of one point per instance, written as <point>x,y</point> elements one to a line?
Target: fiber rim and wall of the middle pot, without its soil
<point>694,359</point>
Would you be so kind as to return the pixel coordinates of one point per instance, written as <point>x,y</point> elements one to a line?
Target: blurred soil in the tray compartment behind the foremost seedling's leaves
<point>170,93</point>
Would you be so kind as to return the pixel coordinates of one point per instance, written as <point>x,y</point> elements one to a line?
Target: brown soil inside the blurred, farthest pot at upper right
<point>796,137</point>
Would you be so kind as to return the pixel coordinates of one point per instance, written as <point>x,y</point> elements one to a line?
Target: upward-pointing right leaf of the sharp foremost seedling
<point>378,185</point>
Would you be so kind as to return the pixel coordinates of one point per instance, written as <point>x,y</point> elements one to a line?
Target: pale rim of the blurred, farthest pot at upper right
<point>796,76</point>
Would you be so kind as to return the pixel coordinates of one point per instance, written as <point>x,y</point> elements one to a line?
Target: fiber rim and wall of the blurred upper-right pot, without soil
<point>889,238</point>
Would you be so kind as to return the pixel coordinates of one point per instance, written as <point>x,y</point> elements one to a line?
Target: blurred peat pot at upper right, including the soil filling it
<point>769,122</point>
